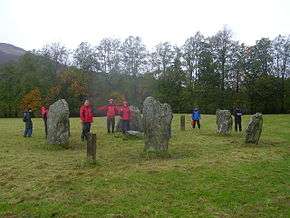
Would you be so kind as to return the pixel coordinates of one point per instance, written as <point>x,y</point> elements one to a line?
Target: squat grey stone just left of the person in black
<point>224,122</point>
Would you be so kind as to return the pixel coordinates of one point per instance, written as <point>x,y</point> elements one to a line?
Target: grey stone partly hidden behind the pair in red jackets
<point>136,122</point>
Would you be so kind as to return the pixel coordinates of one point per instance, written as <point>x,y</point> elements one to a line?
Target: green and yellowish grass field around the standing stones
<point>206,175</point>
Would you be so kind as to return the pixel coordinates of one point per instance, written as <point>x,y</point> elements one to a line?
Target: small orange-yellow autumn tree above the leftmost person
<point>31,100</point>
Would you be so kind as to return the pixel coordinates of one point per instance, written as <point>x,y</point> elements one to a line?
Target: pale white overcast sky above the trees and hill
<point>33,23</point>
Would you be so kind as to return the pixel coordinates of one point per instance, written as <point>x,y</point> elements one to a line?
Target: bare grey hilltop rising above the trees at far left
<point>9,53</point>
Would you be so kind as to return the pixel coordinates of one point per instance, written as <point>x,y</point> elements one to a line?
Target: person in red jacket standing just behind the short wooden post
<point>86,115</point>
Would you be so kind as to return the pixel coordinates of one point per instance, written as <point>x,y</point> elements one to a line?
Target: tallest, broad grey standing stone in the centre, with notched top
<point>157,119</point>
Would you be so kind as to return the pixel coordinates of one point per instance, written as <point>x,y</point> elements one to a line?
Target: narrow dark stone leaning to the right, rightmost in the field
<point>254,129</point>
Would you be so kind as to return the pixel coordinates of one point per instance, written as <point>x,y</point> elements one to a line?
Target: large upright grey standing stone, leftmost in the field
<point>58,128</point>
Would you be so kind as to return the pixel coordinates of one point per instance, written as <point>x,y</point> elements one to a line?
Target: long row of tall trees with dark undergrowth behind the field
<point>206,72</point>
